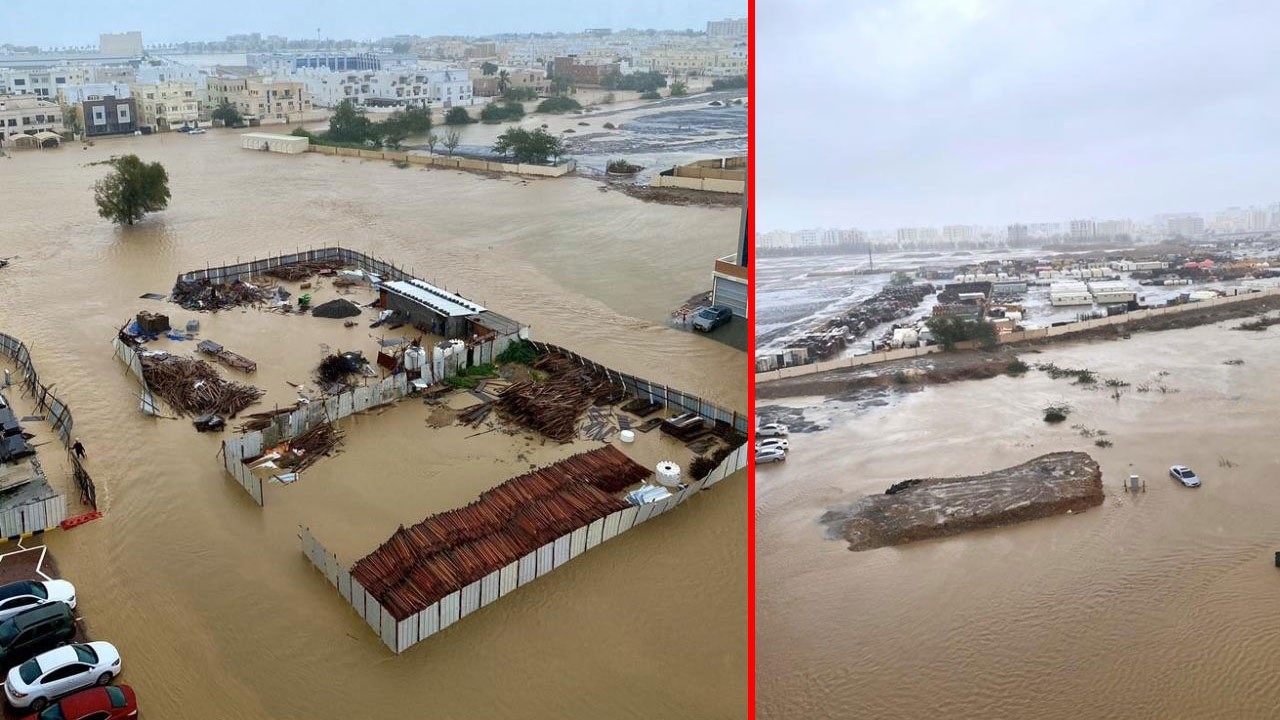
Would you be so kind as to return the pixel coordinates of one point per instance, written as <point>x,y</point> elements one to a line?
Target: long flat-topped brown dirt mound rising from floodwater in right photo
<point>912,511</point>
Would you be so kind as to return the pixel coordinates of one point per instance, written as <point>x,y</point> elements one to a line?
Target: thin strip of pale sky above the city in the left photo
<point>79,22</point>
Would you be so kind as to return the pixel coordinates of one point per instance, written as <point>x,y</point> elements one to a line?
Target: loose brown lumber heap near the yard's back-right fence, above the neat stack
<point>554,407</point>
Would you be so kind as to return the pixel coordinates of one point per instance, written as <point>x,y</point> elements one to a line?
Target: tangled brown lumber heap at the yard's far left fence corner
<point>194,388</point>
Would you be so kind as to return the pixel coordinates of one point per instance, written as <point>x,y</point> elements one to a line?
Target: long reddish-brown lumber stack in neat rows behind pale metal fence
<point>422,564</point>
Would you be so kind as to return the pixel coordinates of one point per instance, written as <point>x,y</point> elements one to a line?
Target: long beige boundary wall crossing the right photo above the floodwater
<point>1009,339</point>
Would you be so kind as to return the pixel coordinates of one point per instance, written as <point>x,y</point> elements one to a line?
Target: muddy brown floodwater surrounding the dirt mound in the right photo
<point>1154,605</point>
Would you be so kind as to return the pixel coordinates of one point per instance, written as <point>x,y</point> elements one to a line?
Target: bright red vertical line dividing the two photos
<point>752,99</point>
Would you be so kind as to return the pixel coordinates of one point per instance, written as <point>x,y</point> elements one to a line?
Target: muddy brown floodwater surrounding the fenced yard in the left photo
<point>209,598</point>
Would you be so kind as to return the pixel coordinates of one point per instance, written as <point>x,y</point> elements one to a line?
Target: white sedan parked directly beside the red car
<point>60,672</point>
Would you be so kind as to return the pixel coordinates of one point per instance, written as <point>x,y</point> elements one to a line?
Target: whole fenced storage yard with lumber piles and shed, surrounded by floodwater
<point>424,440</point>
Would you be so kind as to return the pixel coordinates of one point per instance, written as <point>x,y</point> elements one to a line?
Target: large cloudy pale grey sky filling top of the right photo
<point>889,113</point>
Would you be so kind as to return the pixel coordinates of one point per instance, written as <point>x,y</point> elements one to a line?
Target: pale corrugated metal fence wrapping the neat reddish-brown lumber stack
<point>400,636</point>
